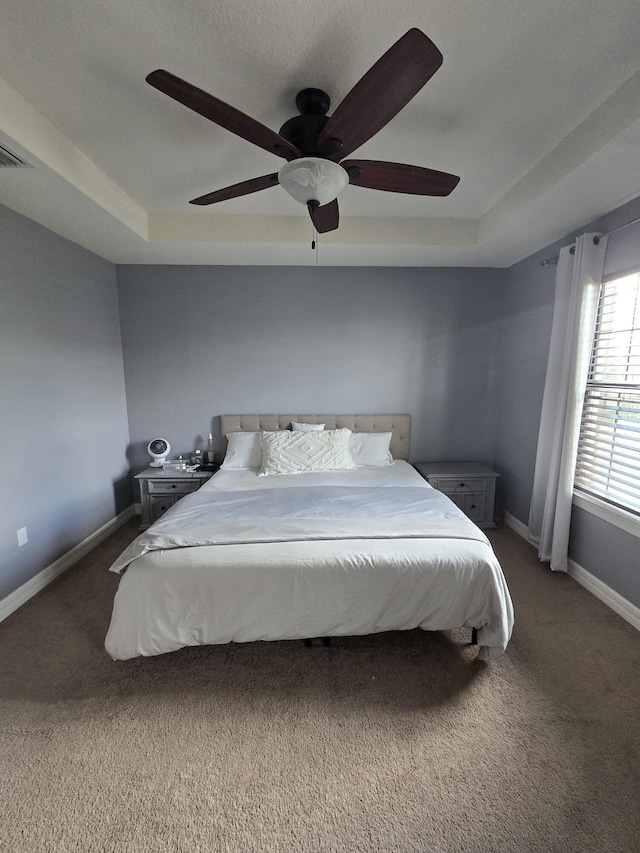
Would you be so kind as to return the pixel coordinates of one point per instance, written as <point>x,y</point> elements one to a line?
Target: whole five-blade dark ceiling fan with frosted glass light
<point>314,144</point>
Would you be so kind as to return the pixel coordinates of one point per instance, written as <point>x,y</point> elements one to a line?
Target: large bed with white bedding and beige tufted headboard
<point>323,553</point>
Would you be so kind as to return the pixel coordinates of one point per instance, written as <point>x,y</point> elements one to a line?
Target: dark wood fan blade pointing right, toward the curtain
<point>399,178</point>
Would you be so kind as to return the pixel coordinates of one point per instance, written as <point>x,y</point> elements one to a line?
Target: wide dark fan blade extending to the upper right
<point>383,91</point>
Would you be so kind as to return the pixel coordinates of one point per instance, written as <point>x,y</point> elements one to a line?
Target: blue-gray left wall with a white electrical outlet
<point>63,423</point>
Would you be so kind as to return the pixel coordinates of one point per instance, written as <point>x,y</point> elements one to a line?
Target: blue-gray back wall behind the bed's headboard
<point>203,341</point>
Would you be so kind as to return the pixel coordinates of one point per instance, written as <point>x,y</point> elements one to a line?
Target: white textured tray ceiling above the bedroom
<point>536,107</point>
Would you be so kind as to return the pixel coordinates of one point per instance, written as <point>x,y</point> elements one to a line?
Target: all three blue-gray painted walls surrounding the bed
<point>462,350</point>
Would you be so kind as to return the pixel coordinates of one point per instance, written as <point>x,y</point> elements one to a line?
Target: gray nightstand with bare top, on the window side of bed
<point>470,485</point>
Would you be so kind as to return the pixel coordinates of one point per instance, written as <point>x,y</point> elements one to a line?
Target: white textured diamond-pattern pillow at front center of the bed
<point>286,452</point>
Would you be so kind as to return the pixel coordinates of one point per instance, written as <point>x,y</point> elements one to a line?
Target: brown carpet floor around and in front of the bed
<point>398,742</point>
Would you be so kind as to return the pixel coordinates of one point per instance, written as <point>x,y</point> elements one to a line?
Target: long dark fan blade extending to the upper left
<point>222,114</point>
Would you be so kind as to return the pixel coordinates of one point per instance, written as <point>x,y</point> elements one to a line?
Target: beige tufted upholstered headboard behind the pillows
<point>398,425</point>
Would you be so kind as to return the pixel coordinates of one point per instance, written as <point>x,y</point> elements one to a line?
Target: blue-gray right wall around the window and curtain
<point>606,551</point>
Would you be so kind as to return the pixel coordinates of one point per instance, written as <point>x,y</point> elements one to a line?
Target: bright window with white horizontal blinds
<point>608,464</point>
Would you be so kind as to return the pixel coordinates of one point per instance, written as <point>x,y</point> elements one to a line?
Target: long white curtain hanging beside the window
<point>578,280</point>
